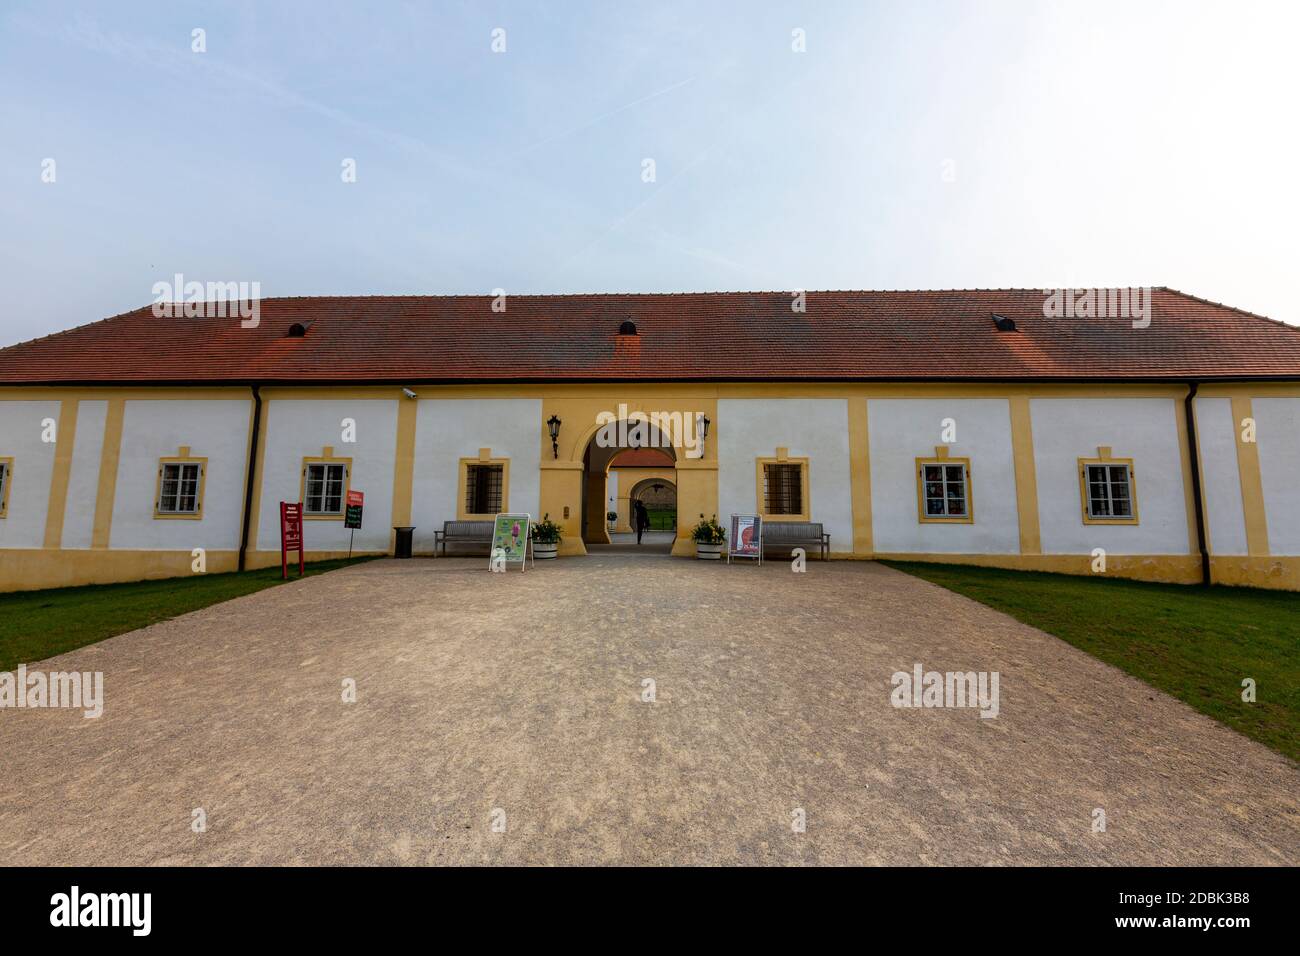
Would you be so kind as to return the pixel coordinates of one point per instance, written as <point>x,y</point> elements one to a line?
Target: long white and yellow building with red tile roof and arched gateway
<point>1145,434</point>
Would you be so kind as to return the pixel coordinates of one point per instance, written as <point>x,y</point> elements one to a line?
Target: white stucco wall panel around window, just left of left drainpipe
<point>153,430</point>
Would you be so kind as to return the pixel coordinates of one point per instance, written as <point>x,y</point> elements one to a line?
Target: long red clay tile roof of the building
<point>692,336</point>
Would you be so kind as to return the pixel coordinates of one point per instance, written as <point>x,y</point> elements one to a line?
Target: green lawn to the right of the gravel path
<point>1197,644</point>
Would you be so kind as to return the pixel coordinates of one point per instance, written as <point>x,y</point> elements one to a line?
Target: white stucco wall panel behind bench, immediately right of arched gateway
<point>813,429</point>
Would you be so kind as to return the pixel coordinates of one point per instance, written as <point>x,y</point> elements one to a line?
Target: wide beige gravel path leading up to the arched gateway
<point>518,699</point>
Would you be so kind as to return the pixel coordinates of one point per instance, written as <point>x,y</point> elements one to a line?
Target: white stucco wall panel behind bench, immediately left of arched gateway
<point>450,430</point>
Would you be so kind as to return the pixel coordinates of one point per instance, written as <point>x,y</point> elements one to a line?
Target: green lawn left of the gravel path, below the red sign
<point>36,625</point>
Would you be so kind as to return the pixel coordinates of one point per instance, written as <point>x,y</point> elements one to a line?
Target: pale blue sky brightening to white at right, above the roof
<point>912,146</point>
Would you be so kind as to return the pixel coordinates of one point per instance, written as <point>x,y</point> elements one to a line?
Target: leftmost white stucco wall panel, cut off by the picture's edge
<point>33,465</point>
